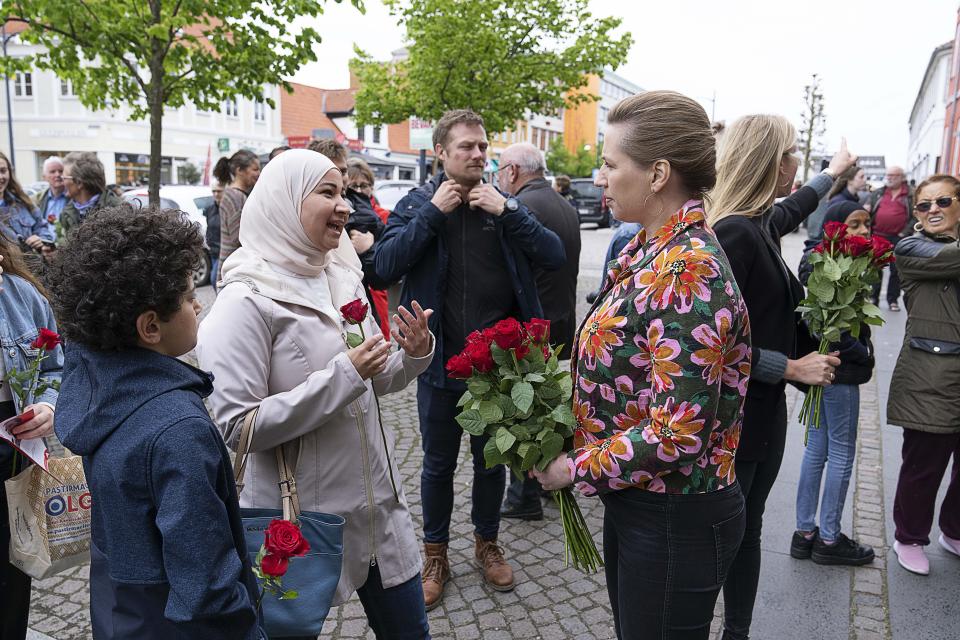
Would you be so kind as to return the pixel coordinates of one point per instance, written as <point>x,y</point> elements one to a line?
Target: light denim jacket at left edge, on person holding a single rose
<point>23,312</point>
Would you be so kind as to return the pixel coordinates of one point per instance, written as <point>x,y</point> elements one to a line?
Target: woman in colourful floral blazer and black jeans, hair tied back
<point>661,368</point>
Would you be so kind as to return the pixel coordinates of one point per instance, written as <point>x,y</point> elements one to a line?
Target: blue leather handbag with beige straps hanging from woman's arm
<point>314,576</point>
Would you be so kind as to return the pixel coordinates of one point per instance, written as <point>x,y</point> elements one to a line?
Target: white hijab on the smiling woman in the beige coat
<point>276,258</point>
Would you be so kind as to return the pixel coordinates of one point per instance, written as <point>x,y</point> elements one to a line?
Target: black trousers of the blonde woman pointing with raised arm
<point>756,479</point>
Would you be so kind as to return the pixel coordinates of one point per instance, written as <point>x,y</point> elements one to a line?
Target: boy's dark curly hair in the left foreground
<point>118,265</point>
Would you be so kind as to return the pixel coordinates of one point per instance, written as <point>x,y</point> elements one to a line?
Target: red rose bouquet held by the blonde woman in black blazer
<point>845,268</point>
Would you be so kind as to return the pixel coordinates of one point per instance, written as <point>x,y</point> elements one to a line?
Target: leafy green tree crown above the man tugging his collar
<point>502,59</point>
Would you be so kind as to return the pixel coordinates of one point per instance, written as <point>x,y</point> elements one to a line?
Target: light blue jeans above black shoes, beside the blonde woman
<point>835,441</point>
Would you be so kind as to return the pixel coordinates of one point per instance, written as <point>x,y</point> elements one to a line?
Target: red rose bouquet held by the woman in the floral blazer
<point>518,396</point>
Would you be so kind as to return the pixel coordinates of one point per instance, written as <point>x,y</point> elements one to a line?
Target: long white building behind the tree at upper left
<point>49,120</point>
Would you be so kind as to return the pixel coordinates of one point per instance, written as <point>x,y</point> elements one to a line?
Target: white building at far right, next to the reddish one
<point>927,116</point>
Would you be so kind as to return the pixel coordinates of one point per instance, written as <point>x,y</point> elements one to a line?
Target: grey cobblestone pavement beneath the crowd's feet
<point>552,601</point>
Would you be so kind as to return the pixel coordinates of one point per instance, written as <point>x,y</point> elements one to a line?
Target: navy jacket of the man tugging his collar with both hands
<point>413,247</point>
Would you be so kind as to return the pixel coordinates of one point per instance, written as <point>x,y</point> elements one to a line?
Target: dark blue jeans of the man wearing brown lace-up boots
<point>441,451</point>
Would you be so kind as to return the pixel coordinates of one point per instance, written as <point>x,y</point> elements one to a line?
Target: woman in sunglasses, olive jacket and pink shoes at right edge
<point>927,375</point>
